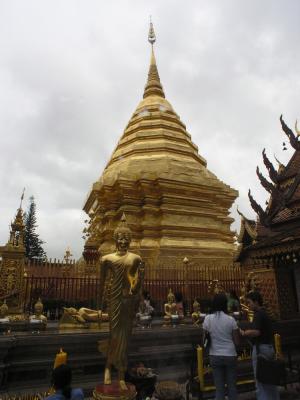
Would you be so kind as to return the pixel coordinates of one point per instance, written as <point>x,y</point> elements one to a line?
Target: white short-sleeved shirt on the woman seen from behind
<point>220,327</point>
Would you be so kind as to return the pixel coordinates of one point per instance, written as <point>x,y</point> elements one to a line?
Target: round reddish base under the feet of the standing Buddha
<point>114,392</point>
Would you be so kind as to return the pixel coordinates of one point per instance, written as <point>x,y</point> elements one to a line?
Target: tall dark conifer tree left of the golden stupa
<point>33,244</point>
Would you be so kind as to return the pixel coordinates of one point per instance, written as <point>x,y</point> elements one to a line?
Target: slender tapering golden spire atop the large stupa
<point>153,86</point>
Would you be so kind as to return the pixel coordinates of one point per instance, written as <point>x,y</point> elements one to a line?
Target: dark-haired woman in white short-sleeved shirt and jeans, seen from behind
<point>224,335</point>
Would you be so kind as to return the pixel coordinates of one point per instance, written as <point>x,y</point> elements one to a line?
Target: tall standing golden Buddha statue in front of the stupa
<point>126,273</point>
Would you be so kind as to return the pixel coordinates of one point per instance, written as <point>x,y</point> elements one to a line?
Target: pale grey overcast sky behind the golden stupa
<point>72,73</point>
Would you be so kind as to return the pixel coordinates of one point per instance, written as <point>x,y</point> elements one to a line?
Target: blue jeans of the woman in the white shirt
<point>224,372</point>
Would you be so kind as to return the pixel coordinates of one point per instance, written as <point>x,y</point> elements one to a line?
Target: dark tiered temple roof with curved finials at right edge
<point>278,224</point>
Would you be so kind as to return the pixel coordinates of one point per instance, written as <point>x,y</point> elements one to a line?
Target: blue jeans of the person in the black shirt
<point>264,391</point>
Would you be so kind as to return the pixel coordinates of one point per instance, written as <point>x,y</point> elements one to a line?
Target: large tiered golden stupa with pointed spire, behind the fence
<point>174,205</point>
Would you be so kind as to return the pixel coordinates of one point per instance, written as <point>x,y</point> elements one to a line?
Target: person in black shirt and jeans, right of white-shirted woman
<point>262,338</point>
